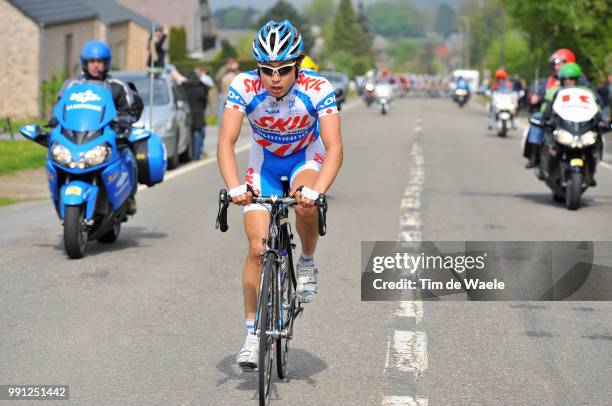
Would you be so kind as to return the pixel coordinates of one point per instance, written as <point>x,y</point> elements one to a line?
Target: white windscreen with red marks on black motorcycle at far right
<point>575,105</point>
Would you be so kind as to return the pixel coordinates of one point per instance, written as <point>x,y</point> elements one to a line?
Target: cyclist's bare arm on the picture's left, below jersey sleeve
<point>230,131</point>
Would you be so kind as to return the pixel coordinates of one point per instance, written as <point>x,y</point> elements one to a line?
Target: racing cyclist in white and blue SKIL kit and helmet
<point>296,133</point>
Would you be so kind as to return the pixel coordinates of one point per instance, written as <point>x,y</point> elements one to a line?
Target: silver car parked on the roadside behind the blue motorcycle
<point>171,115</point>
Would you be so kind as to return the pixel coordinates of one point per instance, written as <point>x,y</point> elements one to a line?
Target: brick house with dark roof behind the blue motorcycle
<point>42,38</point>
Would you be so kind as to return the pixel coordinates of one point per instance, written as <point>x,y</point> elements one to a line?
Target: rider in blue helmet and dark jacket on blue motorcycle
<point>96,60</point>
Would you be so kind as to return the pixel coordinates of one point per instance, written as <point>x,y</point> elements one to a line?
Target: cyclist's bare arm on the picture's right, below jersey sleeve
<point>332,140</point>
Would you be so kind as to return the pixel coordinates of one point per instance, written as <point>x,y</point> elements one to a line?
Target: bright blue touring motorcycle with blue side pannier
<point>93,167</point>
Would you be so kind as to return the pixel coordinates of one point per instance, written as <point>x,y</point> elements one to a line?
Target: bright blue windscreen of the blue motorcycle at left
<point>85,107</point>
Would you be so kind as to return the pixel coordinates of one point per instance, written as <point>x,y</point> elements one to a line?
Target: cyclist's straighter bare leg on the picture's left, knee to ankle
<point>256,227</point>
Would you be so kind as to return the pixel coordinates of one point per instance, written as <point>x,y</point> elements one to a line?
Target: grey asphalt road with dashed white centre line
<point>156,318</point>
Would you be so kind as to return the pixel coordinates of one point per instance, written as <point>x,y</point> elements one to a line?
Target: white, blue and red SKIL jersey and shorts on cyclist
<point>285,130</point>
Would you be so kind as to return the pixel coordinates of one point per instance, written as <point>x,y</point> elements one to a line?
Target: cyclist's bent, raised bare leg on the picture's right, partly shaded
<point>306,218</point>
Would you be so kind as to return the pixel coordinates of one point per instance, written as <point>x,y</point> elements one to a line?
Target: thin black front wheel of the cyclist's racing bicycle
<point>266,323</point>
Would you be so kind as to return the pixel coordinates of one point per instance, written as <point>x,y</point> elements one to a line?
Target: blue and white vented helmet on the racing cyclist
<point>277,42</point>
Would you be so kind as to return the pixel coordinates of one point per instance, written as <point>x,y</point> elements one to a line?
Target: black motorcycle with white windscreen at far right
<point>572,145</point>
